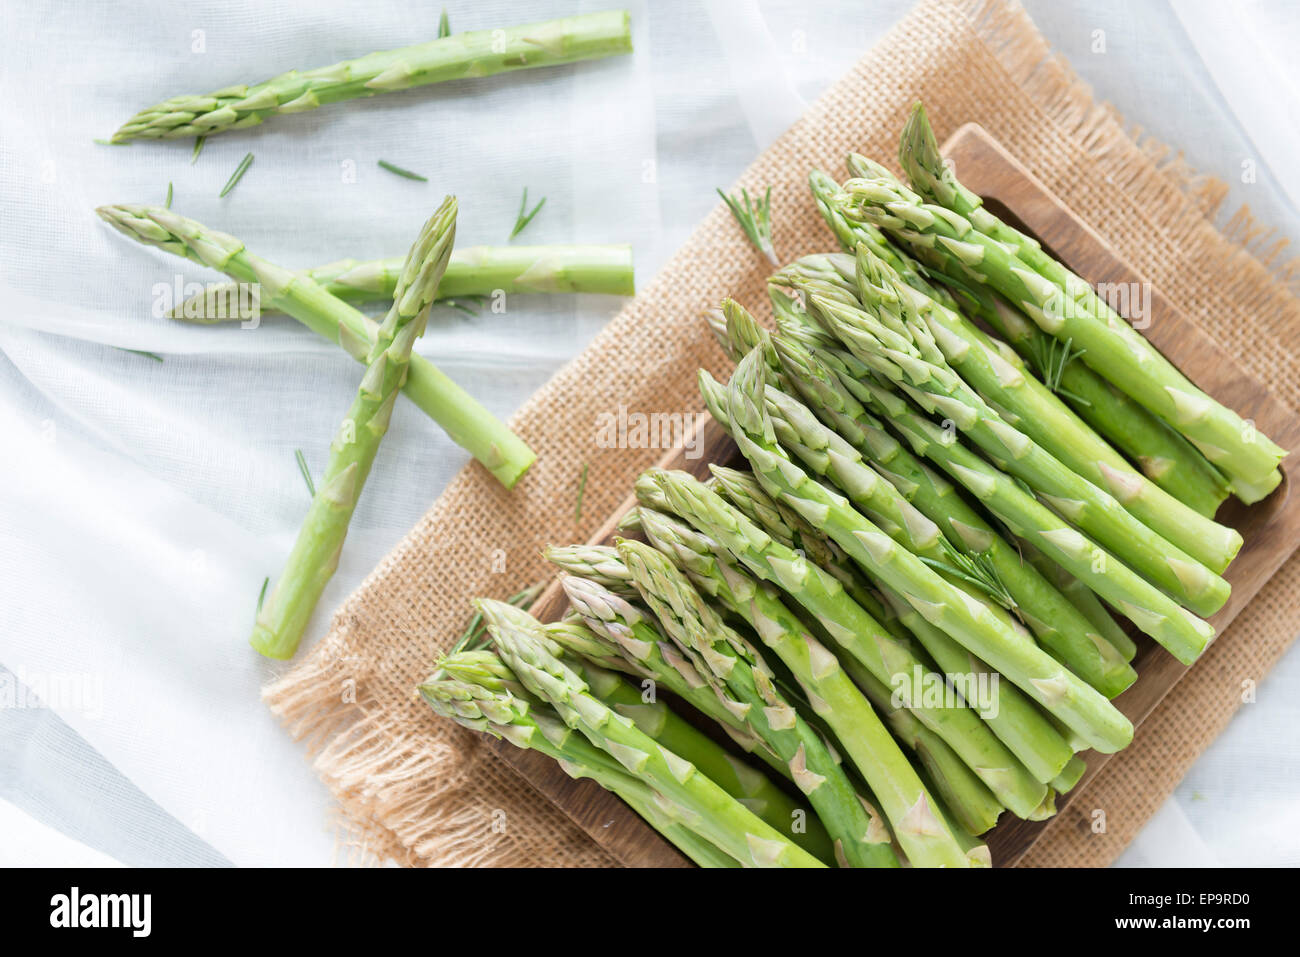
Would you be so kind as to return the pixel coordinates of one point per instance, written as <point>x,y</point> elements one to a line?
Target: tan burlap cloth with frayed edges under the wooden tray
<point>421,791</point>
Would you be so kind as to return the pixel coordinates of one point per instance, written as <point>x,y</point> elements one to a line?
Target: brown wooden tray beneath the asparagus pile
<point>1271,530</point>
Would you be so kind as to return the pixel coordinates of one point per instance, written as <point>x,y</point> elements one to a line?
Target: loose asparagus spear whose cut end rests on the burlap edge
<point>471,426</point>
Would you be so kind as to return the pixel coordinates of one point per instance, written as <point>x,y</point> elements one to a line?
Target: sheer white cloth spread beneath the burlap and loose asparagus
<point>142,504</point>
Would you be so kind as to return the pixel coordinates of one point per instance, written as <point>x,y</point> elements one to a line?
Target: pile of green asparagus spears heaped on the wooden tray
<point>963,470</point>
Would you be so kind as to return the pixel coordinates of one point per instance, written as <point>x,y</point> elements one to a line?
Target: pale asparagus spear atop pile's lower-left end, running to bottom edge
<point>710,811</point>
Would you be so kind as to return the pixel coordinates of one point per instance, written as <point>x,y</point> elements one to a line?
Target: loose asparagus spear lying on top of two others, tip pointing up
<point>314,558</point>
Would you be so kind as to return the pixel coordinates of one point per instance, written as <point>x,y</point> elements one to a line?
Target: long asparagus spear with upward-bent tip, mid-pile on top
<point>946,607</point>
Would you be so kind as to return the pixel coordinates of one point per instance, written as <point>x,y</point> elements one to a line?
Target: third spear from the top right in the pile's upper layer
<point>916,365</point>
